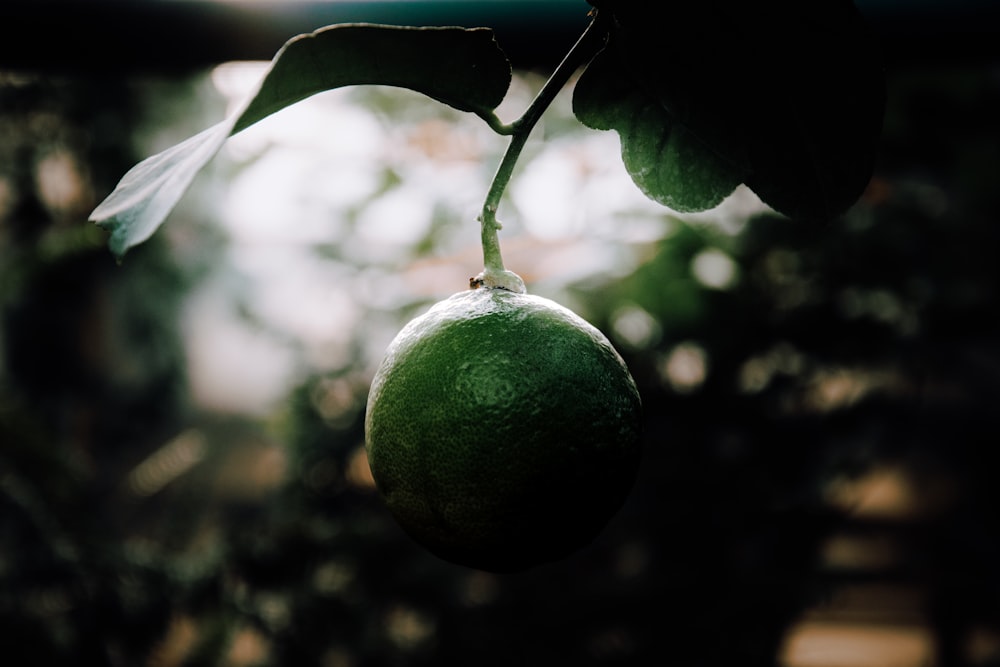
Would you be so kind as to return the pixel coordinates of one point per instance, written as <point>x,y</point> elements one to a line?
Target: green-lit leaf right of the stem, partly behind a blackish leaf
<point>664,158</point>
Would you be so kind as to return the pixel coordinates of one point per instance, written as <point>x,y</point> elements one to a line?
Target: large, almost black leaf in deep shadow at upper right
<point>789,92</point>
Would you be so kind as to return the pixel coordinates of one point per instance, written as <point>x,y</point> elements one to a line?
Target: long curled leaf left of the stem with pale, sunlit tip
<point>462,68</point>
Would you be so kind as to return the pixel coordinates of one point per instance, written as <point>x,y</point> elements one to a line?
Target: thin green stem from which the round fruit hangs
<point>494,274</point>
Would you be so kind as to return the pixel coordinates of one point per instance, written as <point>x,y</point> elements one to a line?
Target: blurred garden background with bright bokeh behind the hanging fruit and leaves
<point>182,479</point>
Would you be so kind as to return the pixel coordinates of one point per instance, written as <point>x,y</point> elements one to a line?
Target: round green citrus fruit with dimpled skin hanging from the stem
<point>503,430</point>
